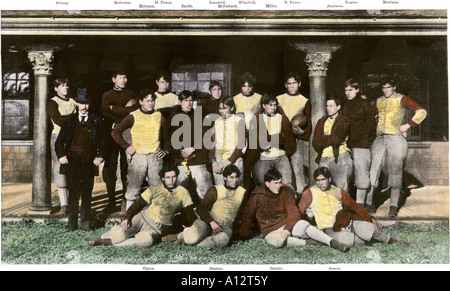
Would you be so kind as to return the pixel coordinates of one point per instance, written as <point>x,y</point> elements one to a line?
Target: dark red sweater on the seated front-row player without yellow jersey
<point>270,211</point>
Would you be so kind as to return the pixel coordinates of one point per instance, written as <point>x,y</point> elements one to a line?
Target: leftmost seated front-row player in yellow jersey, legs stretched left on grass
<point>151,215</point>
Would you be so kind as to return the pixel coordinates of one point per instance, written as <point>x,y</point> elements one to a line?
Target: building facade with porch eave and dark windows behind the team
<point>325,47</point>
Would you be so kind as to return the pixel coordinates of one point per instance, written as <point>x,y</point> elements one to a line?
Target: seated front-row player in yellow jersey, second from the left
<point>218,212</point>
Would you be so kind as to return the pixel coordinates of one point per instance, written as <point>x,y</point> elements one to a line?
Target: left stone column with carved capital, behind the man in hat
<point>41,57</point>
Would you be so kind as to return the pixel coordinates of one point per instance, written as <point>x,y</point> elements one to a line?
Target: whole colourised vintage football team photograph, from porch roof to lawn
<point>238,140</point>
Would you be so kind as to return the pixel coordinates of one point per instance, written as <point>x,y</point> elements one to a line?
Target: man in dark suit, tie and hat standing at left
<point>78,146</point>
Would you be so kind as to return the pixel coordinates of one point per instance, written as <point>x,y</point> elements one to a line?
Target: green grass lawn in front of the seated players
<point>27,242</point>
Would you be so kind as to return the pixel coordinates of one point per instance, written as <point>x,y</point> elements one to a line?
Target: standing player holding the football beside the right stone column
<point>293,103</point>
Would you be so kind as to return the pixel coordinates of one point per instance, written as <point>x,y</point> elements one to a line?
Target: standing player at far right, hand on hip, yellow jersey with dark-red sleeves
<point>390,144</point>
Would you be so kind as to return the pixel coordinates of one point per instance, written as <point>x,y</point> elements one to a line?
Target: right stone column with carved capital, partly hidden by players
<point>318,56</point>
